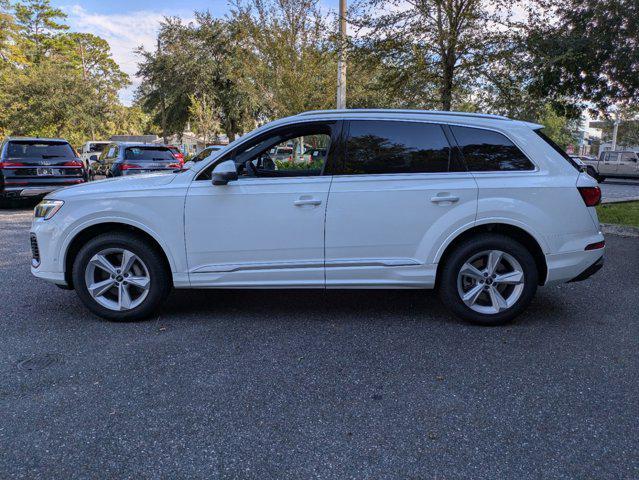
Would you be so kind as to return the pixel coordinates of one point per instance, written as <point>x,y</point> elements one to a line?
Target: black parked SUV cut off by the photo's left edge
<point>31,167</point>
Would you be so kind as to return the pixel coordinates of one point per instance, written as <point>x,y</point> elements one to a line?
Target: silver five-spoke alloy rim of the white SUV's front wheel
<point>117,279</point>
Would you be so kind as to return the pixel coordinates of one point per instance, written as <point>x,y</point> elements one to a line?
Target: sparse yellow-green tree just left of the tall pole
<point>285,50</point>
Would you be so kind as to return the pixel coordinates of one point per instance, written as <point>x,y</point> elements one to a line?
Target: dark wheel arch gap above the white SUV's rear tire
<point>518,233</point>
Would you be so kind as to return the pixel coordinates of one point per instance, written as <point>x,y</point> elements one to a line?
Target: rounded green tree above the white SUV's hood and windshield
<point>193,60</point>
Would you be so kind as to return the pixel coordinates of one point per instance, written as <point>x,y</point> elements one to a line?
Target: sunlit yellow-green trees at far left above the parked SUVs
<point>56,83</point>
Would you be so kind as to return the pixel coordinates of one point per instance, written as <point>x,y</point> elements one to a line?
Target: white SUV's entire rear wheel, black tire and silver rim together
<point>488,279</point>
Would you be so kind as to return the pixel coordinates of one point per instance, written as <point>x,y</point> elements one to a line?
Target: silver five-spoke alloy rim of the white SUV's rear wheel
<point>490,282</point>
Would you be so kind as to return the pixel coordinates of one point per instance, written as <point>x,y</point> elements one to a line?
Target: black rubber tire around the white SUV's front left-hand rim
<point>160,277</point>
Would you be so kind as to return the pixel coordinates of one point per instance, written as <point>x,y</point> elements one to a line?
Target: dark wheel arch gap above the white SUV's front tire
<point>88,232</point>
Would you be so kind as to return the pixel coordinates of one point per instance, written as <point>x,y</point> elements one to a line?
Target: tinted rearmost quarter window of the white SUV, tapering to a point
<point>488,151</point>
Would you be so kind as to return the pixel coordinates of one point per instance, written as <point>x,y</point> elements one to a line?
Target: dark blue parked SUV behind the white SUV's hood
<point>123,158</point>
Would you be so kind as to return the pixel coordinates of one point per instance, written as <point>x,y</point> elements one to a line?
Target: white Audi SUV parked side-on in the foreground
<point>481,207</point>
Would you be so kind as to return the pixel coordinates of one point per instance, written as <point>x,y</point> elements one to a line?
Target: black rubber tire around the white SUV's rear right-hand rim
<point>448,282</point>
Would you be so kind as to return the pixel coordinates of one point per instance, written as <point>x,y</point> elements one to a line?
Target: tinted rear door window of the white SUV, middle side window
<point>379,147</point>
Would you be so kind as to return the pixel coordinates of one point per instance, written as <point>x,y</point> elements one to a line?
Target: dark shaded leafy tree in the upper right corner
<point>586,50</point>
